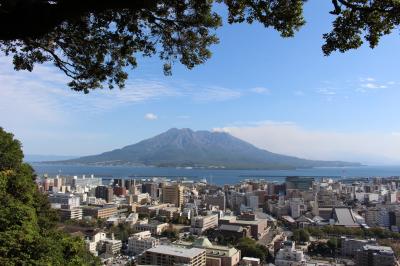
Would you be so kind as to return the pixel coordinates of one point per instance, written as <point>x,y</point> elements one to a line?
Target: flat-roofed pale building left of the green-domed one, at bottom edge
<point>168,255</point>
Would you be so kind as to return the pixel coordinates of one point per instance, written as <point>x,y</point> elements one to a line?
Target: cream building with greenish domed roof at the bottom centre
<point>216,255</point>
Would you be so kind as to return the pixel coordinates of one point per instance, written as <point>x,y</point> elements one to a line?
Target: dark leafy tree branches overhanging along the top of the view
<point>94,42</point>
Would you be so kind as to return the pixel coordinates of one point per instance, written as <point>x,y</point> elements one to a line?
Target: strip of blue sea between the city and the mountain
<point>216,176</point>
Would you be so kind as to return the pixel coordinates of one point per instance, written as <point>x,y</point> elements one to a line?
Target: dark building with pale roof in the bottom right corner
<point>373,255</point>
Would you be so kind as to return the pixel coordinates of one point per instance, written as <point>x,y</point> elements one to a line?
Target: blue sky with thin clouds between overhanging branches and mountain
<point>279,94</point>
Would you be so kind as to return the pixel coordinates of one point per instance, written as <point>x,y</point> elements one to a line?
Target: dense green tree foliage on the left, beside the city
<point>28,234</point>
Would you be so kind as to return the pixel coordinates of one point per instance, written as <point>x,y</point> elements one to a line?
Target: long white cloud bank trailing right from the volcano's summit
<point>291,139</point>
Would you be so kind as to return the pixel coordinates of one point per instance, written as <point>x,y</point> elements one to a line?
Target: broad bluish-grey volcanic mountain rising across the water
<point>184,147</point>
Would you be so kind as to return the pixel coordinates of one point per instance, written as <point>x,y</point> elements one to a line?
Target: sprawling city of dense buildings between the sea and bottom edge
<point>302,221</point>
